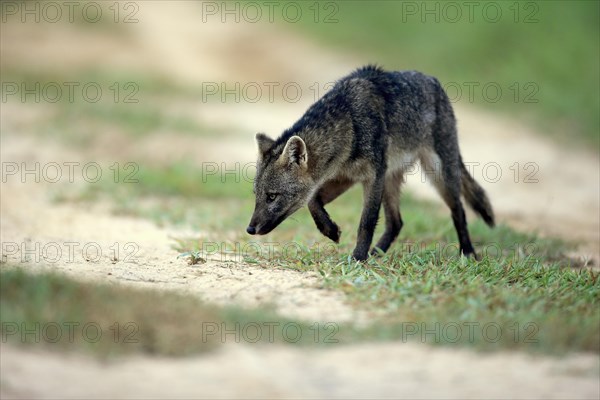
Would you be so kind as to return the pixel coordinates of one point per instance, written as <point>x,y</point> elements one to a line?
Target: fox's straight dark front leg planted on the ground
<point>373,193</point>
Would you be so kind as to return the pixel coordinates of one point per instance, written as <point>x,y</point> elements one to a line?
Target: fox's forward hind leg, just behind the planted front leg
<point>391,208</point>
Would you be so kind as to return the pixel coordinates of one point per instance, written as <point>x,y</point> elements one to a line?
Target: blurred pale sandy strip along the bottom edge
<point>391,370</point>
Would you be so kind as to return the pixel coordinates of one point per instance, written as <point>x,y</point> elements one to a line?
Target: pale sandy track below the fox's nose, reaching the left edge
<point>82,240</point>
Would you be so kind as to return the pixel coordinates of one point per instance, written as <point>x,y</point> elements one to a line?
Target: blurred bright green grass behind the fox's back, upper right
<point>522,47</point>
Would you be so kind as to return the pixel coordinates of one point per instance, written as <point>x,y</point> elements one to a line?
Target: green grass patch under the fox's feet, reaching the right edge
<point>513,301</point>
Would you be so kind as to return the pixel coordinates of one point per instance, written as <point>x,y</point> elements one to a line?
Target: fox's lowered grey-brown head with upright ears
<point>282,184</point>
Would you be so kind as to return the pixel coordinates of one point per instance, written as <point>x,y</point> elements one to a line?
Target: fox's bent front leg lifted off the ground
<point>326,194</point>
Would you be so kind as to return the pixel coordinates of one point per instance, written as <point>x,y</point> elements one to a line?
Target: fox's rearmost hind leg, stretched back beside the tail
<point>445,174</point>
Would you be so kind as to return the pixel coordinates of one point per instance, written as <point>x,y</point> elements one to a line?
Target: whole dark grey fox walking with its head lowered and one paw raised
<point>369,128</point>
